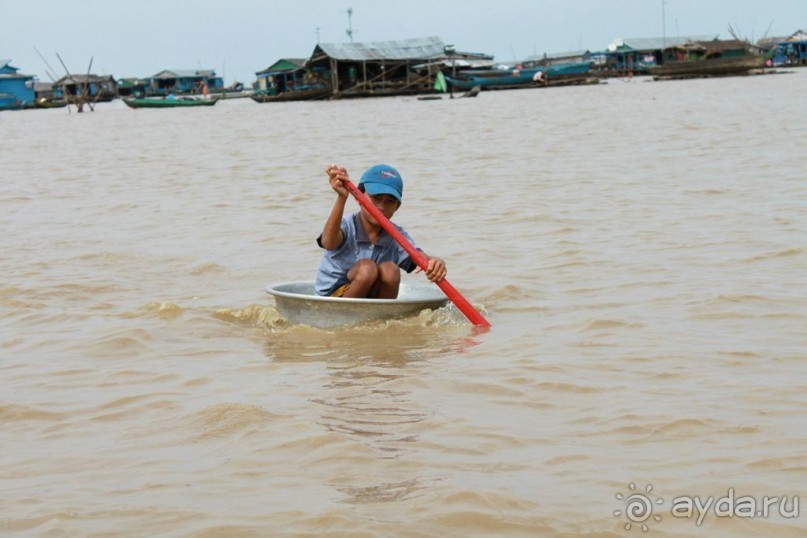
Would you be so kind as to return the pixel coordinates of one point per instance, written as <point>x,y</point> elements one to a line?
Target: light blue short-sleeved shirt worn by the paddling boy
<point>356,246</point>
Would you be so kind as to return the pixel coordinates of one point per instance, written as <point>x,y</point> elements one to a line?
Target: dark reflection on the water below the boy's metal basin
<point>370,367</point>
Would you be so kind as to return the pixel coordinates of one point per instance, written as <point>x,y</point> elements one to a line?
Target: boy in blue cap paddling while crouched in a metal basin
<point>361,259</point>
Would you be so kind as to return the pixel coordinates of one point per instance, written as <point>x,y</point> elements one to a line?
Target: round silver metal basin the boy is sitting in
<point>298,303</point>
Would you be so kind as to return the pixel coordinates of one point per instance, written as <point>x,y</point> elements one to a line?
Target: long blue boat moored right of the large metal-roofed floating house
<point>515,78</point>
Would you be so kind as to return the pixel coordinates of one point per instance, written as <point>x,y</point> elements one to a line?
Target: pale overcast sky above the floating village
<point>138,38</point>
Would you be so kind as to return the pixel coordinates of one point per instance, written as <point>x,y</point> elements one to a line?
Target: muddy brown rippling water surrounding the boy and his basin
<point>639,248</point>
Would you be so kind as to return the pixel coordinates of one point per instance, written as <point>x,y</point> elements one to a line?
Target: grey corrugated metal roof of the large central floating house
<point>404,49</point>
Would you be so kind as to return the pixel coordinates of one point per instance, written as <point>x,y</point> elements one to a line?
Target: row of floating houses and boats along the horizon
<point>425,67</point>
